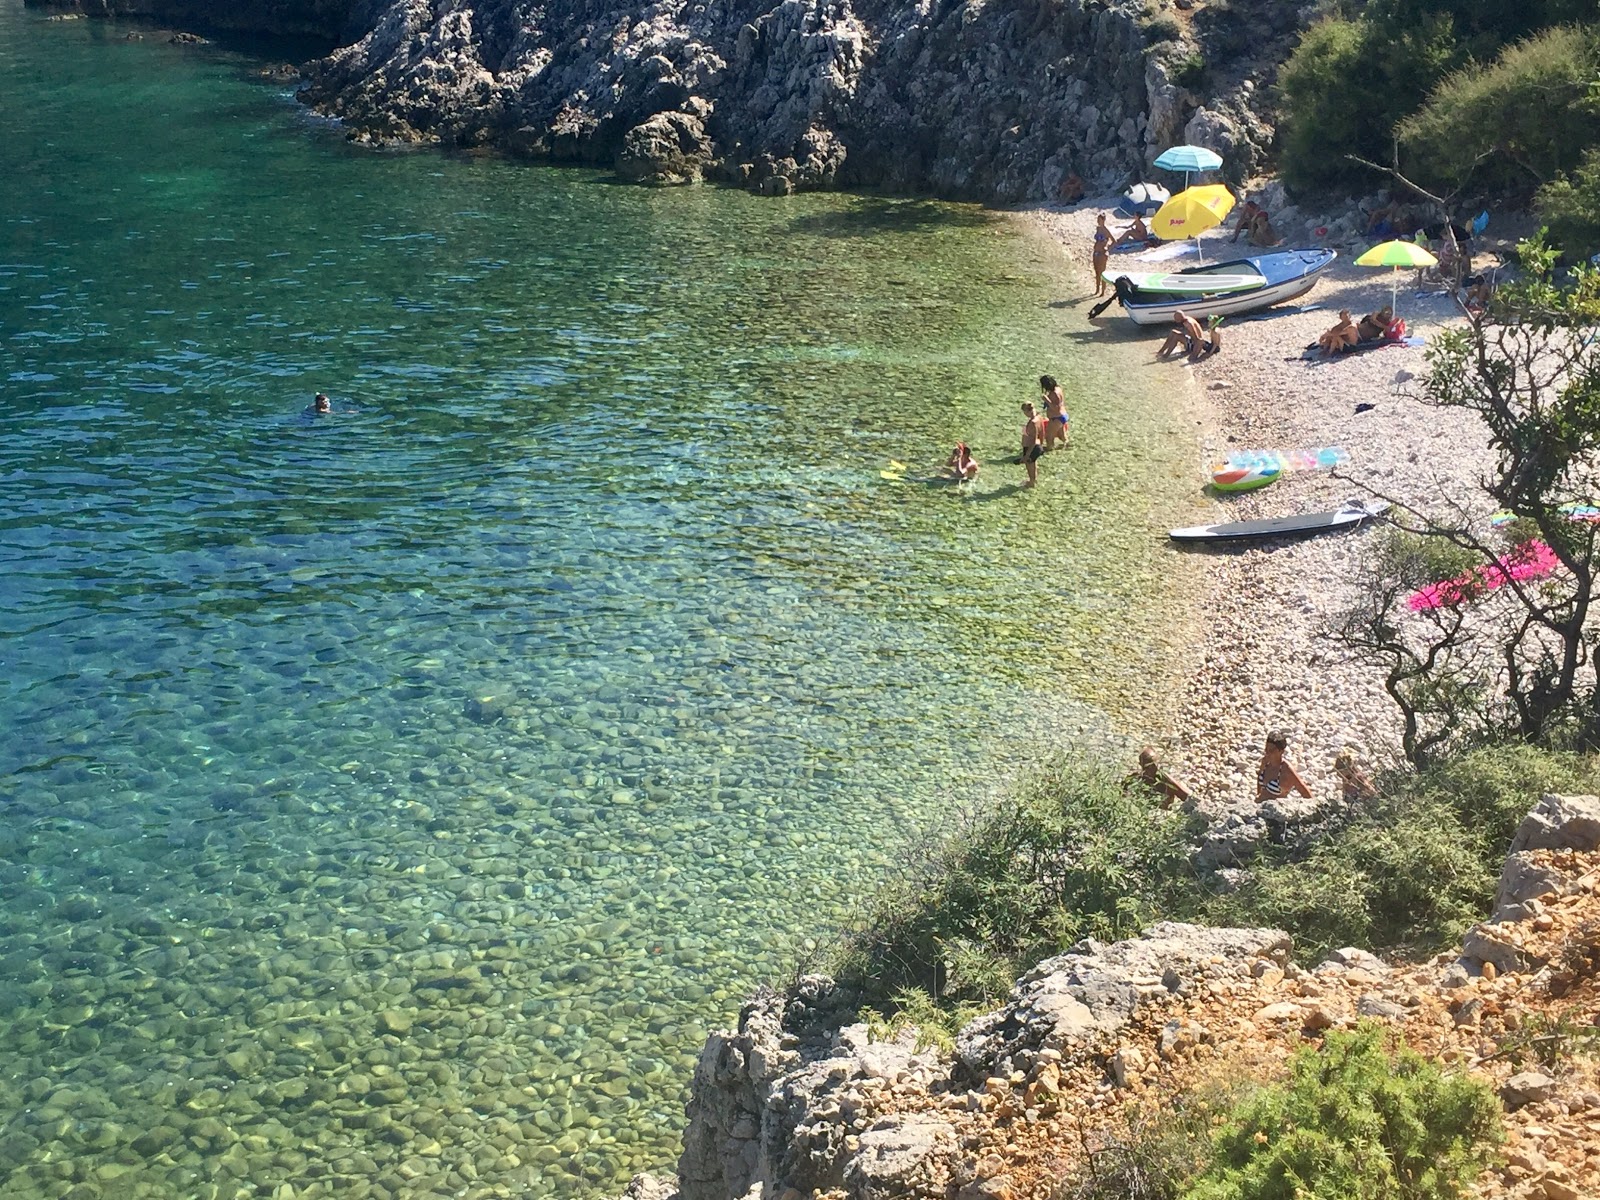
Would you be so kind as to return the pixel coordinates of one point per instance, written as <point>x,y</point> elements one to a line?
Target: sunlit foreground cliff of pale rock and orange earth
<point>802,1102</point>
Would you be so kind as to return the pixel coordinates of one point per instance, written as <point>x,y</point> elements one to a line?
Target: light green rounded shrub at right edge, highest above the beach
<point>1514,126</point>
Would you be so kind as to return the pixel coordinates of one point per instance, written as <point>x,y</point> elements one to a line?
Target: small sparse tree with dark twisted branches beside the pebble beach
<point>1530,369</point>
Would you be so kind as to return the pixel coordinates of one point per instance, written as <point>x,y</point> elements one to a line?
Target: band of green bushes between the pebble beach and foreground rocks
<point>1074,855</point>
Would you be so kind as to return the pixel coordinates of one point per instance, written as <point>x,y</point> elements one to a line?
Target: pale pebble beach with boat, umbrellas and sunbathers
<point>1263,658</point>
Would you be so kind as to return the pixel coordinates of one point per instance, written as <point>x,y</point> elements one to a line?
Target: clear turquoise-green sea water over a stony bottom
<point>391,801</point>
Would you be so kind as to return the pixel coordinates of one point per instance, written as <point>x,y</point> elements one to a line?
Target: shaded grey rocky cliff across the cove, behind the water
<point>994,102</point>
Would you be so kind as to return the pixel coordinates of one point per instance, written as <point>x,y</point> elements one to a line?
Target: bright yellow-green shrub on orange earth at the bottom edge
<point>1356,1119</point>
